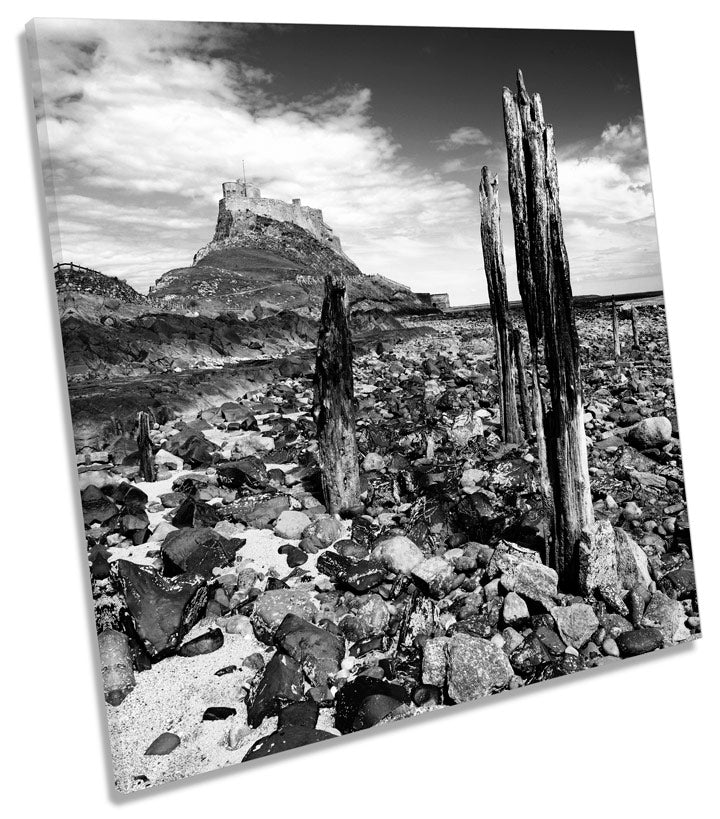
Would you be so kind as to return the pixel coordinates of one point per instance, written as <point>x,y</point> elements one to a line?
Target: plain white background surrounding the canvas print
<point>640,738</point>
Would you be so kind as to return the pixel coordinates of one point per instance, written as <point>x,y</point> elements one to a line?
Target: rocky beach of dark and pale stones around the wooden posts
<point>254,621</point>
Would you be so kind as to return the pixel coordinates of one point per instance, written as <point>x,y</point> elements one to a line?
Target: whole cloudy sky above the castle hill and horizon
<point>385,129</point>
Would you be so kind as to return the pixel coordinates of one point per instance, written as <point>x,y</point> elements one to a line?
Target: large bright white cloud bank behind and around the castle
<point>144,122</point>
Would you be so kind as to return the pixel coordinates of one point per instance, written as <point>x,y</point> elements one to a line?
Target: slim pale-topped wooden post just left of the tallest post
<point>491,236</point>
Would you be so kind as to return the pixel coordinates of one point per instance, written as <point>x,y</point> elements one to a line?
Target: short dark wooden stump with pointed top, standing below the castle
<point>334,395</point>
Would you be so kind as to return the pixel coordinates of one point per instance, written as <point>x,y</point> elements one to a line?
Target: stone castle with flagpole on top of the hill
<point>241,196</point>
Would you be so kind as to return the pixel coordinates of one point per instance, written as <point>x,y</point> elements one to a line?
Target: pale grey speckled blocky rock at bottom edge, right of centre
<point>476,668</point>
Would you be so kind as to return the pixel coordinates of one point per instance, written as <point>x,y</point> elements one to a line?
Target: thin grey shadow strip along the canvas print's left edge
<point>63,404</point>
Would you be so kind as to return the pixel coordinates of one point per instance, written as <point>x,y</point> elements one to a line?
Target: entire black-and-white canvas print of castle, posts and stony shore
<point>368,369</point>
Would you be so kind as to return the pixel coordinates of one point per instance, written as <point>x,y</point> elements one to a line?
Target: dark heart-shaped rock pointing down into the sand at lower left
<point>162,609</point>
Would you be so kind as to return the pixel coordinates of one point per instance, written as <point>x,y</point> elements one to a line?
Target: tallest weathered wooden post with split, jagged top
<point>533,151</point>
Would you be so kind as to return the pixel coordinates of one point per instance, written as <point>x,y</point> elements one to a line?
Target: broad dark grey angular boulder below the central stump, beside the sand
<point>318,652</point>
